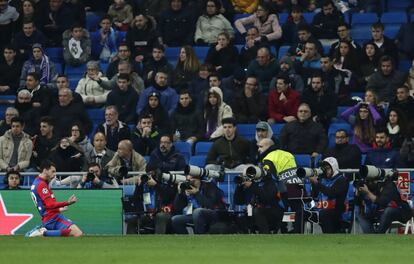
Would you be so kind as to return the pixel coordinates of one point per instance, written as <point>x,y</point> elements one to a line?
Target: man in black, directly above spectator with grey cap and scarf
<point>25,39</point>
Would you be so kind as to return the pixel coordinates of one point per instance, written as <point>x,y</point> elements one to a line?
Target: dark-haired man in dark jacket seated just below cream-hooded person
<point>230,150</point>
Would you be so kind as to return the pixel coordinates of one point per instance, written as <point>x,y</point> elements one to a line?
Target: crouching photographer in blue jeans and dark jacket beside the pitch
<point>197,202</point>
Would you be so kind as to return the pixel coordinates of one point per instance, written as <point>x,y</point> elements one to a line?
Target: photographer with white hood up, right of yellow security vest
<point>330,190</point>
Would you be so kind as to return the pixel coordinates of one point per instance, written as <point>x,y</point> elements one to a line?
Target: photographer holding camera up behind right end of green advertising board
<point>95,179</point>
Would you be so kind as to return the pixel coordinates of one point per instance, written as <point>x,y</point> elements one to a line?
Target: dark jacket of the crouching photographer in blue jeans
<point>210,197</point>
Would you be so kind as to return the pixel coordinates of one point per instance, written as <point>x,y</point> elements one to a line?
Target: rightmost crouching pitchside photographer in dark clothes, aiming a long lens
<point>379,201</point>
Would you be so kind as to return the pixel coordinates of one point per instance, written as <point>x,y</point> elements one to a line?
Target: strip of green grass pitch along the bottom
<point>217,249</point>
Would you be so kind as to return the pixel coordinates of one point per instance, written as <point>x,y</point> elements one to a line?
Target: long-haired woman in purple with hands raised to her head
<point>363,117</point>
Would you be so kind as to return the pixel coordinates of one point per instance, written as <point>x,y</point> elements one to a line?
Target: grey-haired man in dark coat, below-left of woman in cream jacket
<point>66,112</point>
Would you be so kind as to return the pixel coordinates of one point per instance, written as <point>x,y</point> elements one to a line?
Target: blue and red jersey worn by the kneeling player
<point>45,200</point>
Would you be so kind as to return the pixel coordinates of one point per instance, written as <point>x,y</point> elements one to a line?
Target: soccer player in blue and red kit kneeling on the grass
<point>53,222</point>
